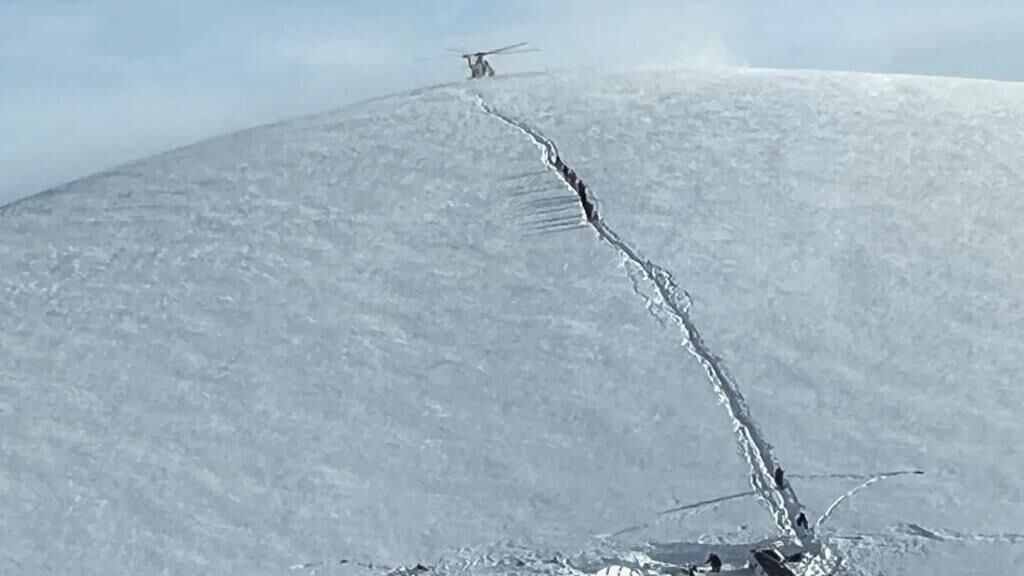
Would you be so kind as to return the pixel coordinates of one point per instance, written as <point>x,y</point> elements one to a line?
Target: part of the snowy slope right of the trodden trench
<point>852,245</point>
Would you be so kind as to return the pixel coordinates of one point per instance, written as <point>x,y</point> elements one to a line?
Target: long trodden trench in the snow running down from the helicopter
<point>757,451</point>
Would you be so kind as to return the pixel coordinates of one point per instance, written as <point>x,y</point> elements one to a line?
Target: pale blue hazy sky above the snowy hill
<point>86,86</point>
